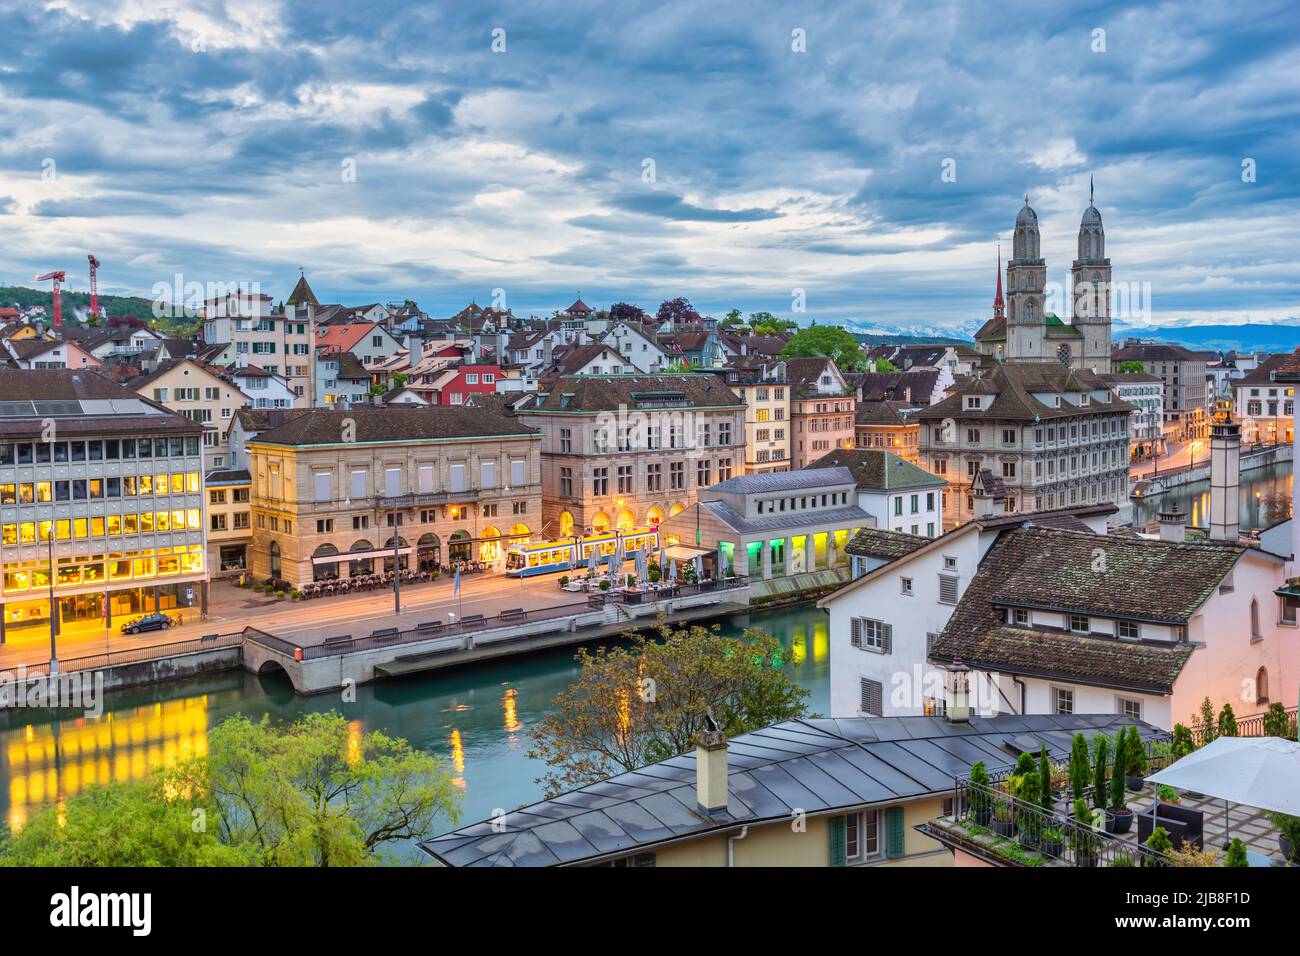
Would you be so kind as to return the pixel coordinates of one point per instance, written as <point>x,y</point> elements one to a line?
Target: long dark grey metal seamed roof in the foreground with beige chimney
<point>816,765</point>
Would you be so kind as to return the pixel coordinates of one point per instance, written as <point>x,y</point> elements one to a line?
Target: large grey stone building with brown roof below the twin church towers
<point>1055,436</point>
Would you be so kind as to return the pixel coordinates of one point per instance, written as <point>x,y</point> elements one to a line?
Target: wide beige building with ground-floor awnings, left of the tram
<point>333,492</point>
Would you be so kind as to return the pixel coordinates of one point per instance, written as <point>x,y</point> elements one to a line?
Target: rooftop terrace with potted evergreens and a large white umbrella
<point>1012,816</point>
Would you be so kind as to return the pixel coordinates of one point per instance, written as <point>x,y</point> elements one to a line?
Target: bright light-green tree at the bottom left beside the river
<point>311,794</point>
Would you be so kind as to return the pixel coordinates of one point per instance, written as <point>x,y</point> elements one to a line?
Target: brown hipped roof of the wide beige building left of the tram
<point>395,423</point>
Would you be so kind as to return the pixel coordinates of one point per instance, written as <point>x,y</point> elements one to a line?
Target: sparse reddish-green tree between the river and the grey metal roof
<point>648,700</point>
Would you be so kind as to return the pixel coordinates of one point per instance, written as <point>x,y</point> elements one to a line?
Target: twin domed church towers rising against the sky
<point>1028,332</point>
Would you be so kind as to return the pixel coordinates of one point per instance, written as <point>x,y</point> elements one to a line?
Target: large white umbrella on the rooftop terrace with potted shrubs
<point>1263,773</point>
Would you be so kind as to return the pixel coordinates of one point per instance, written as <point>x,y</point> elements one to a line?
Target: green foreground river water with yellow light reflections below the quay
<point>476,719</point>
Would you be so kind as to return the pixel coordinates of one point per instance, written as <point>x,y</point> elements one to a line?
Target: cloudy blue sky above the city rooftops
<point>727,153</point>
